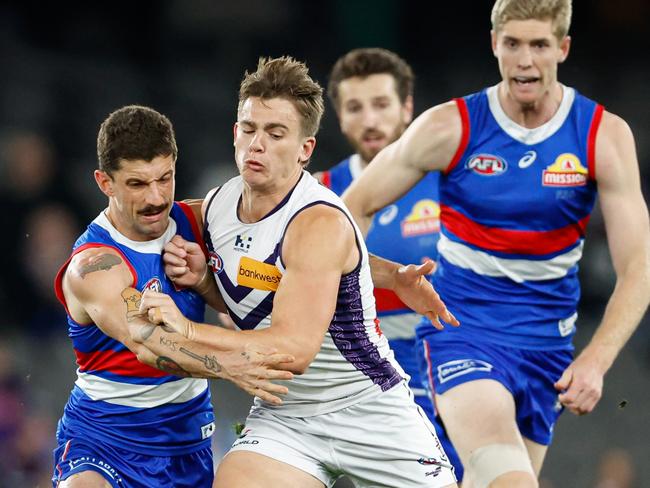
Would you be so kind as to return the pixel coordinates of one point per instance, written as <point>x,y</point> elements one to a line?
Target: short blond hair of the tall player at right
<point>558,11</point>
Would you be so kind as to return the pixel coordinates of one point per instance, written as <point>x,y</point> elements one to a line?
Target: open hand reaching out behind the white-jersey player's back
<point>412,287</point>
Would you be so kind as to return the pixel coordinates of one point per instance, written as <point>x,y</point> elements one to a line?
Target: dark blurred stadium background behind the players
<point>64,67</point>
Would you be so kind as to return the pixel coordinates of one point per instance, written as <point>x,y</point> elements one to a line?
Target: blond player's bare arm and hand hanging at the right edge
<point>626,220</point>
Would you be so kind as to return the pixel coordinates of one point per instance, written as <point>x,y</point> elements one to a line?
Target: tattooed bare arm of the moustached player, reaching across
<point>98,288</point>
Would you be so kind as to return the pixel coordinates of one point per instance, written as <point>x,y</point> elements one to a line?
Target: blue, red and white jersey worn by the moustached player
<point>116,399</point>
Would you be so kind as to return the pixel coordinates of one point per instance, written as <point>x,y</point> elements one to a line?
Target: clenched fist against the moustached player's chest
<point>184,262</point>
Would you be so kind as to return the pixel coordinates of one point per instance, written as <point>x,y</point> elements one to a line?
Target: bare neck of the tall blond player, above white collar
<point>535,114</point>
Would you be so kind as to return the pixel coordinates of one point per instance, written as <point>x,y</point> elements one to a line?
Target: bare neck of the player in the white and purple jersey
<point>257,202</point>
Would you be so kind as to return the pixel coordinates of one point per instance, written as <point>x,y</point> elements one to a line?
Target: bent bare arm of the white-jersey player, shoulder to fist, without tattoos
<point>318,248</point>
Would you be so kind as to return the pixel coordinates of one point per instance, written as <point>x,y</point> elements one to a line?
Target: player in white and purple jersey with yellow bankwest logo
<point>294,274</point>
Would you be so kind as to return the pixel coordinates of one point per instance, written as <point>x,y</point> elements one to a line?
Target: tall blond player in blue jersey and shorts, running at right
<point>482,417</point>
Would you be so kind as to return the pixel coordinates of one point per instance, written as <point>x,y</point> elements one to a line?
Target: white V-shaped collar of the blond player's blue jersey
<point>538,134</point>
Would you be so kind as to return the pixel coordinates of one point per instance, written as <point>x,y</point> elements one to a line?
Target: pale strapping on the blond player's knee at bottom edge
<point>501,465</point>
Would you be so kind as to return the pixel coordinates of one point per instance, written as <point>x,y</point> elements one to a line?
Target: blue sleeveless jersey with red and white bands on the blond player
<point>515,203</point>
